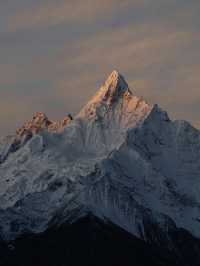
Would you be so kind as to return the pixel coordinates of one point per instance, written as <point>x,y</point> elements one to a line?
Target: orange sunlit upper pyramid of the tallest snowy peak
<point>114,98</point>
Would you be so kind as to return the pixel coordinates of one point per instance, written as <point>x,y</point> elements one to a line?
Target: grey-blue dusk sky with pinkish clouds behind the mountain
<point>55,54</point>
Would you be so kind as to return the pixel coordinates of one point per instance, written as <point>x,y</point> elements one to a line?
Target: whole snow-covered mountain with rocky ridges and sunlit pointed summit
<point>120,158</point>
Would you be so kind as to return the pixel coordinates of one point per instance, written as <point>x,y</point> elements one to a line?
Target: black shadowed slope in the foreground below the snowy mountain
<point>92,242</point>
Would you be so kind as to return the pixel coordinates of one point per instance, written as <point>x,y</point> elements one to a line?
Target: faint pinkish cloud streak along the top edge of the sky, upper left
<point>53,13</point>
